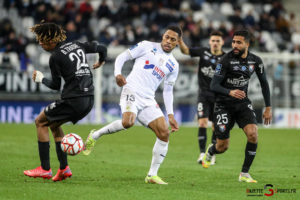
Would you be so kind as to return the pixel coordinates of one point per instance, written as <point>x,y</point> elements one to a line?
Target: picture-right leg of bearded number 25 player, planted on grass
<point>247,121</point>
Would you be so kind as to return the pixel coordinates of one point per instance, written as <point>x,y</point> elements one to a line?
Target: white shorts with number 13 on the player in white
<point>146,110</point>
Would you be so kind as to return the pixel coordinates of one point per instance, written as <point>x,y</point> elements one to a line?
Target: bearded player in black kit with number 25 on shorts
<point>230,82</point>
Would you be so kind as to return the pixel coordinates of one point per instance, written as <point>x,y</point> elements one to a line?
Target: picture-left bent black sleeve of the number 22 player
<point>55,82</point>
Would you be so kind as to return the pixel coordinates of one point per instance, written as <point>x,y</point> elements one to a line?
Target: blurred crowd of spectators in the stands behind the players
<point>126,22</point>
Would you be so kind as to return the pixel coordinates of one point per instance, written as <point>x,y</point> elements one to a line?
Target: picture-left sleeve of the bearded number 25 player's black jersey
<point>217,79</point>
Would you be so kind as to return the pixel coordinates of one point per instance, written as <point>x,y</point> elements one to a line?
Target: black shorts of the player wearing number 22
<point>73,109</point>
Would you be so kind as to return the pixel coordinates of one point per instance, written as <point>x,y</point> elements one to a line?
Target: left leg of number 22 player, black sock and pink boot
<point>44,170</point>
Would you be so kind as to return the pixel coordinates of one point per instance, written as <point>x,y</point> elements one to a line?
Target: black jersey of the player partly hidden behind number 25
<point>207,65</point>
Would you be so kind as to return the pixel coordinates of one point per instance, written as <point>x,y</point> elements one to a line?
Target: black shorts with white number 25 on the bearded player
<point>226,115</point>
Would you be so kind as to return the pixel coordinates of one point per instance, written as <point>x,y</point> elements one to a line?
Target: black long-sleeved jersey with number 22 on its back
<point>68,60</point>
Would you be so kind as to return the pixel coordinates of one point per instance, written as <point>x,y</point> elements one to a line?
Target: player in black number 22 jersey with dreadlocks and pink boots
<point>67,61</point>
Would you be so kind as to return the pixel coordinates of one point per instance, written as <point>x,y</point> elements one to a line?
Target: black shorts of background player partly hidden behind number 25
<point>205,107</point>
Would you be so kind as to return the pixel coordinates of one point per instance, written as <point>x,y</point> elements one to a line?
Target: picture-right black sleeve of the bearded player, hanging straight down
<point>260,71</point>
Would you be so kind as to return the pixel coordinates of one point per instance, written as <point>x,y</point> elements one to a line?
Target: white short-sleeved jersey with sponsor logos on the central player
<point>152,65</point>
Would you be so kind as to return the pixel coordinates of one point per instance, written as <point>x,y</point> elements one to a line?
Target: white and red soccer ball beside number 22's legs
<point>72,144</point>
